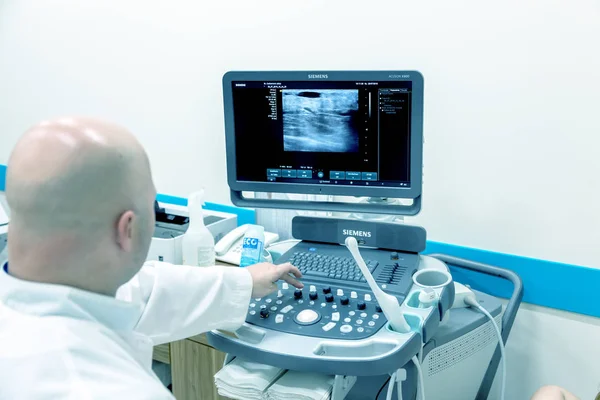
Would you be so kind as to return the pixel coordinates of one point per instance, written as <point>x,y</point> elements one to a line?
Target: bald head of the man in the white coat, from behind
<point>69,183</point>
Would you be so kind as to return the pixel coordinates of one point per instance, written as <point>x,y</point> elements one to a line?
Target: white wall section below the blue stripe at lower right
<point>547,346</point>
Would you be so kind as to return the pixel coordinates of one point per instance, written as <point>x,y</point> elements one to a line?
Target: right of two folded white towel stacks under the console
<point>301,386</point>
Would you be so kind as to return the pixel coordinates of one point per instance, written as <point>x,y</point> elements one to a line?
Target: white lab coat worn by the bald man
<point>58,342</point>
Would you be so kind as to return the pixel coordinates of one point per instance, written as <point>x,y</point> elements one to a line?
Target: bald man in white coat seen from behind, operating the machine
<point>79,310</point>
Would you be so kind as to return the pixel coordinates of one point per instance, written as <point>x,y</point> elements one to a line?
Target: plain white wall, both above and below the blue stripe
<point>511,120</point>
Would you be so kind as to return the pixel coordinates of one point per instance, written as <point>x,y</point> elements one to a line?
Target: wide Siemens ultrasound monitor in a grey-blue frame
<point>342,133</point>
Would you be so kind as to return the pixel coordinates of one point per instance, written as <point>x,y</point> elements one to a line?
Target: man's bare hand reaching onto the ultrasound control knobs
<point>266,275</point>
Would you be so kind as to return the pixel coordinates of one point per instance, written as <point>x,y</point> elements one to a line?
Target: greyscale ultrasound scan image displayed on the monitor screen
<point>320,120</point>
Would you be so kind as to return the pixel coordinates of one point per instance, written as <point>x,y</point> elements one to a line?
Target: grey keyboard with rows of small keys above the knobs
<point>334,267</point>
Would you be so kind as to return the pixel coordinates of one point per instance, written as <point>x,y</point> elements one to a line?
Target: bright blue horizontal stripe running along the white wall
<point>550,284</point>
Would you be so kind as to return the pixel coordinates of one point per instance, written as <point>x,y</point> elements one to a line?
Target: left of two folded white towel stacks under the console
<point>245,380</point>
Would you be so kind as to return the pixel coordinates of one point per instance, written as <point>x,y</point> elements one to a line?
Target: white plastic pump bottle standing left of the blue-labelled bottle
<point>198,244</point>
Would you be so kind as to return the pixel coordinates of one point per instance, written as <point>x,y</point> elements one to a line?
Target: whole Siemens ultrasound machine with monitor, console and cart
<point>375,312</point>
